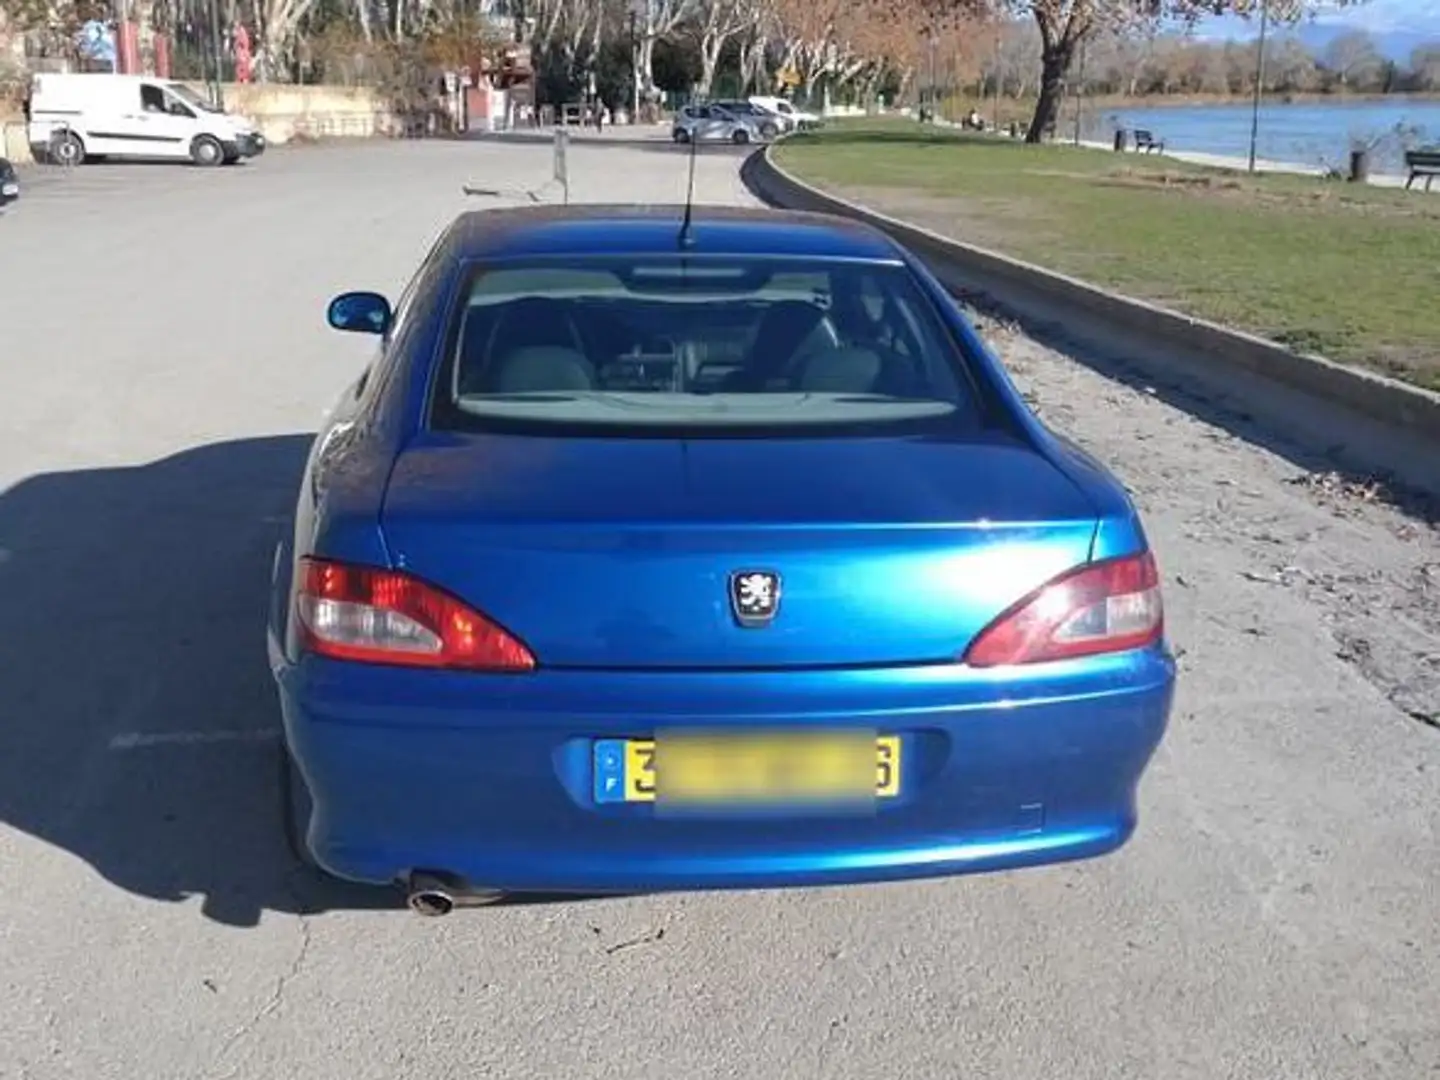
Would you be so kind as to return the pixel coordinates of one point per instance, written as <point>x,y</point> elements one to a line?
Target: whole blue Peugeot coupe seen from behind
<point>679,552</point>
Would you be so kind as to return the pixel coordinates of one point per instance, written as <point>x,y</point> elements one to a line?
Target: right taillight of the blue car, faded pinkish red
<point>1099,608</point>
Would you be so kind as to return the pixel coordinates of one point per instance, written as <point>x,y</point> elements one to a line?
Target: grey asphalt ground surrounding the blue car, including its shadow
<point>163,359</point>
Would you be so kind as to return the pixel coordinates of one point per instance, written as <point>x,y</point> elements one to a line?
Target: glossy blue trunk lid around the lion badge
<point>623,554</point>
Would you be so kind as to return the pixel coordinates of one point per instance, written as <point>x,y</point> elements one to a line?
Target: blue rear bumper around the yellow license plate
<point>492,778</point>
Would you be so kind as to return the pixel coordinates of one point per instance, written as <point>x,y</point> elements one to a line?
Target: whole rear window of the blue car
<point>699,346</point>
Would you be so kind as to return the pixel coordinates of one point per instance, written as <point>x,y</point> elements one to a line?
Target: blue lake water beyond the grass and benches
<point>1301,135</point>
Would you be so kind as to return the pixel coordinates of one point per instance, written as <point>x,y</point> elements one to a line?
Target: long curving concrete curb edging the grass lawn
<point>1030,289</point>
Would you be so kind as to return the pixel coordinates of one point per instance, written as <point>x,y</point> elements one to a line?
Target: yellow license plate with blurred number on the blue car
<point>767,768</point>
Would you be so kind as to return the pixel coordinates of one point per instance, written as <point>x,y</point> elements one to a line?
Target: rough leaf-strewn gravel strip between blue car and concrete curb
<point>1364,568</point>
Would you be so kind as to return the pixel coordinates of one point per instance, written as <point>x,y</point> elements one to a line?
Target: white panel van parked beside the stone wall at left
<point>74,117</point>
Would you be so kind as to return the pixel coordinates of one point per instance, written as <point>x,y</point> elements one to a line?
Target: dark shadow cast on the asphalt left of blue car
<point>142,726</point>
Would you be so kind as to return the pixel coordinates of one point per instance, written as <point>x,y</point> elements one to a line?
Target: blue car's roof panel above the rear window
<point>653,230</point>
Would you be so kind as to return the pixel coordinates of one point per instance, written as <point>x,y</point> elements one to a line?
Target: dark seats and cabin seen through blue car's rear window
<point>850,338</point>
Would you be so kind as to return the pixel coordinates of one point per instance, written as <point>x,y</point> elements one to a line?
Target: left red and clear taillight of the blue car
<point>388,617</point>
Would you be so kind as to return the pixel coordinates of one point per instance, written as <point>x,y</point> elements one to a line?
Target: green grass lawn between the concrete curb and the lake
<point>1327,267</point>
